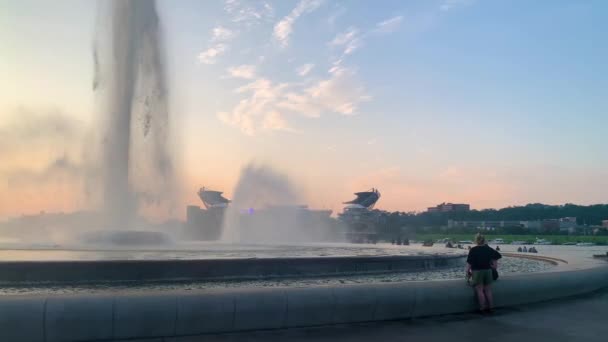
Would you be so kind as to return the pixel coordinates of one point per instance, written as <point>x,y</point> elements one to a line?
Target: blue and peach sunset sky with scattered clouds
<point>492,103</point>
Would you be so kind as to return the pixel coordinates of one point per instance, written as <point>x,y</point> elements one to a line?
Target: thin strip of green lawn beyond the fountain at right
<point>529,239</point>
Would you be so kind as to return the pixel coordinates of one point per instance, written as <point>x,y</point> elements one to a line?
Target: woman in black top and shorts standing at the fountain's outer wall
<point>480,262</point>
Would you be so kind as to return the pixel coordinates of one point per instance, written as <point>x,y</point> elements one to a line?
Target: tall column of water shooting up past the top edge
<point>130,81</point>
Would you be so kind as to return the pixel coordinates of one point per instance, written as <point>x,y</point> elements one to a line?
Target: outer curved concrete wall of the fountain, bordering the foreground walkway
<point>165,314</point>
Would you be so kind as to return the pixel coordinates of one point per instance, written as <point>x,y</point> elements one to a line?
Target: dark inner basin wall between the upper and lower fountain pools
<point>99,271</point>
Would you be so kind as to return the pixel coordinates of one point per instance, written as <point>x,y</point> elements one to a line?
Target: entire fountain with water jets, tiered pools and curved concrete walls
<point>137,169</point>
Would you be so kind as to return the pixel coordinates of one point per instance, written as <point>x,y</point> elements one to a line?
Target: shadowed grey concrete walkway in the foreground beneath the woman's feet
<point>577,319</point>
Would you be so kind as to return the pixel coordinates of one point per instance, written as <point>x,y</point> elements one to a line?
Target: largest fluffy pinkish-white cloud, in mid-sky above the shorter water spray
<point>267,104</point>
